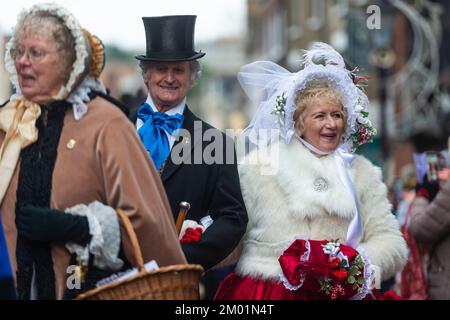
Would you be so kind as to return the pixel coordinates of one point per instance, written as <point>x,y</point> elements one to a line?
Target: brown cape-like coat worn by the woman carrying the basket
<point>107,164</point>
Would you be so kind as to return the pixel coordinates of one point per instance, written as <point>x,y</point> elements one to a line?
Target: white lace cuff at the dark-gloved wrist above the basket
<point>105,232</point>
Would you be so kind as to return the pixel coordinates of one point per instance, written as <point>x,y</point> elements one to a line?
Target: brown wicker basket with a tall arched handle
<point>175,282</point>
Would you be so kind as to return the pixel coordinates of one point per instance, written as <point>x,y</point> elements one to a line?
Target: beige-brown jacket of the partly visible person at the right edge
<point>430,224</point>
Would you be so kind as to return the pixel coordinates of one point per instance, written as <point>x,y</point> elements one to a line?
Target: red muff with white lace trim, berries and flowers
<point>325,270</point>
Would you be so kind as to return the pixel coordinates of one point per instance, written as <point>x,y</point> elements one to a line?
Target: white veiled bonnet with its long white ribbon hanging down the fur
<point>274,89</point>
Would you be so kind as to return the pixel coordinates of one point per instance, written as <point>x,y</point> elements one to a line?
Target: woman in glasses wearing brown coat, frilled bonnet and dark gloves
<point>65,165</point>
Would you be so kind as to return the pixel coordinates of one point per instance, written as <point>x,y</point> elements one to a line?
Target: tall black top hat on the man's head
<point>170,38</point>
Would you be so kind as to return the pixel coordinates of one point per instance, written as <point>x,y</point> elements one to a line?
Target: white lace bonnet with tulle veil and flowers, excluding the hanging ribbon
<point>274,90</point>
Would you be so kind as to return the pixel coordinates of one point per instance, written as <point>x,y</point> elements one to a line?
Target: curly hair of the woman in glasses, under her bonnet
<point>48,26</point>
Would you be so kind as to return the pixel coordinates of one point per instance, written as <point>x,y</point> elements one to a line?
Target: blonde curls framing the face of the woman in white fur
<point>315,91</point>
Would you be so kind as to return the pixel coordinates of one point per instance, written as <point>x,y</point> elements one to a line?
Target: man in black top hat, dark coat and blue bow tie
<point>173,136</point>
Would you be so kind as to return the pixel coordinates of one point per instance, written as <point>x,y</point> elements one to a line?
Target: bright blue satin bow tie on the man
<point>153,132</point>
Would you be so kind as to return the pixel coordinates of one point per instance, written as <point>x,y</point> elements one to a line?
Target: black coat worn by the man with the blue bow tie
<point>210,188</point>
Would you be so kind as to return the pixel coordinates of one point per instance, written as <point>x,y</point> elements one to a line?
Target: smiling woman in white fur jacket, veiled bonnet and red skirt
<point>320,224</point>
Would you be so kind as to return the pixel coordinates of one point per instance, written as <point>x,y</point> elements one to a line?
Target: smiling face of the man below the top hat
<point>168,83</point>
